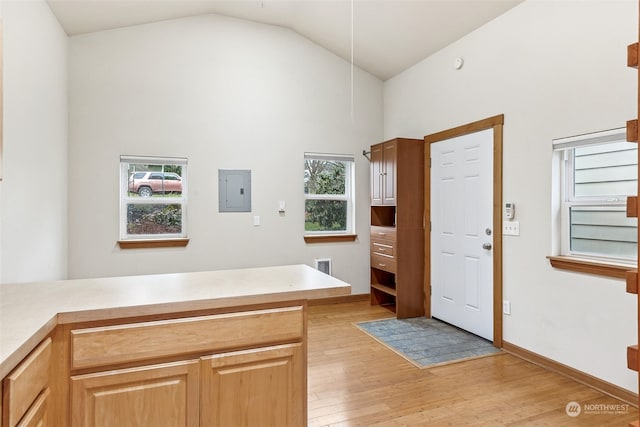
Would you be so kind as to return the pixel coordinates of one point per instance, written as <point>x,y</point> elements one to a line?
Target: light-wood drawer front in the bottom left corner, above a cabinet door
<point>23,386</point>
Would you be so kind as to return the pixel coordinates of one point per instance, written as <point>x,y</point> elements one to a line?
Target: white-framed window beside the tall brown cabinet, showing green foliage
<point>328,192</point>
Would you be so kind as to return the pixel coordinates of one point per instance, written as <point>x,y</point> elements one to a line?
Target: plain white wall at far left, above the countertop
<point>33,191</point>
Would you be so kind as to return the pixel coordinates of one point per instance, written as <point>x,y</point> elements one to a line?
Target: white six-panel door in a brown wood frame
<point>462,232</point>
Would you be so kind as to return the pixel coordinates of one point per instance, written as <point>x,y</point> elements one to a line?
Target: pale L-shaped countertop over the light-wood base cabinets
<point>30,311</point>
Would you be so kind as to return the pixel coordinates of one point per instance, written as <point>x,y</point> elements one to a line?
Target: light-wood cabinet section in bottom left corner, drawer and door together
<point>26,390</point>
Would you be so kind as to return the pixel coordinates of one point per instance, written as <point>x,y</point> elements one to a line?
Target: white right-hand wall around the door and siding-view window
<point>555,69</point>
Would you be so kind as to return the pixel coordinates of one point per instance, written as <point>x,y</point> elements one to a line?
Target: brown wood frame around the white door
<point>496,123</point>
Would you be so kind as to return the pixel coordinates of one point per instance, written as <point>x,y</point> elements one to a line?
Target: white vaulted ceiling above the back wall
<point>384,37</point>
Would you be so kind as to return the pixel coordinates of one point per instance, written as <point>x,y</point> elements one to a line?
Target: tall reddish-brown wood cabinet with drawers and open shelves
<point>397,226</point>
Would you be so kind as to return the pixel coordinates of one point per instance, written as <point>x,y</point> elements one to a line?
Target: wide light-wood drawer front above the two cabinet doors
<point>148,340</point>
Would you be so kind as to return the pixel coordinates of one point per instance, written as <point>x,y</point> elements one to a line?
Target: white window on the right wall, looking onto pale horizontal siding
<point>597,173</point>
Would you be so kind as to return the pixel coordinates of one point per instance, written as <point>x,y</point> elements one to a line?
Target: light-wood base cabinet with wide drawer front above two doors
<point>234,369</point>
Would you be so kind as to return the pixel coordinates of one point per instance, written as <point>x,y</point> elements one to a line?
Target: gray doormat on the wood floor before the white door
<point>428,342</point>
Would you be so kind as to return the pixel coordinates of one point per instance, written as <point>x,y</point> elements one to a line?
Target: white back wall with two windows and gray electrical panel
<point>226,94</point>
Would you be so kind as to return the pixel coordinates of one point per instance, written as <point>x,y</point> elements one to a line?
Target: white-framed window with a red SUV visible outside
<point>153,198</point>
